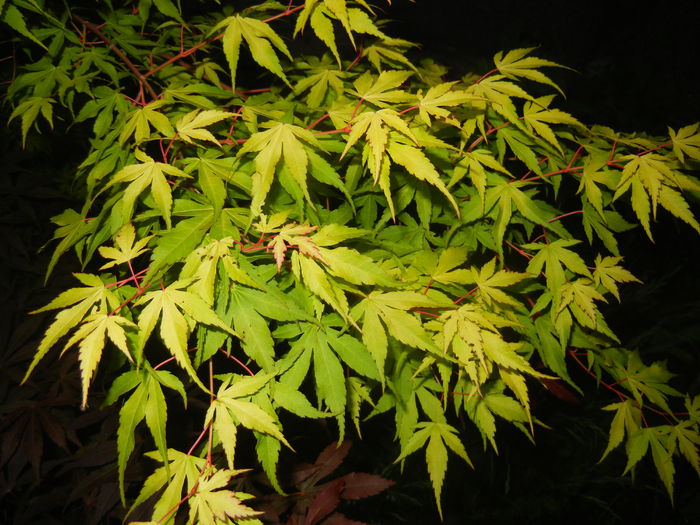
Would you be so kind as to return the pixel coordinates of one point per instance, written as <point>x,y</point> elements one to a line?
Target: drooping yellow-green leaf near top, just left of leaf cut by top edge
<point>261,39</point>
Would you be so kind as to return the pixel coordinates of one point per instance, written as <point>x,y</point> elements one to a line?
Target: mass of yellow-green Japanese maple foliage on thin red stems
<point>359,236</point>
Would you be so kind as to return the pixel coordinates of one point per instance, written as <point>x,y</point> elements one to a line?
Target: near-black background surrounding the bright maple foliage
<point>637,69</point>
